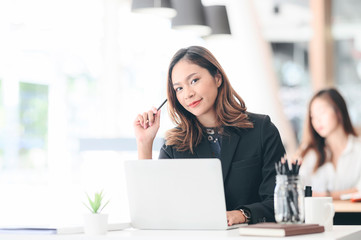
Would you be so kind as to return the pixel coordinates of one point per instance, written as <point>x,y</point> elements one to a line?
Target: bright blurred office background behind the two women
<point>74,75</point>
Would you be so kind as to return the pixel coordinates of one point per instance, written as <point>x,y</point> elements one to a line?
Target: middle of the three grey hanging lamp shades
<point>190,16</point>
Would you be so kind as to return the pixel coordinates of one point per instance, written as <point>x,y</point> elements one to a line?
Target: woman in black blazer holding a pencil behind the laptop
<point>211,121</point>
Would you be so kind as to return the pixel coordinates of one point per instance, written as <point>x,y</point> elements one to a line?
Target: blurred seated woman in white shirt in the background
<point>330,150</point>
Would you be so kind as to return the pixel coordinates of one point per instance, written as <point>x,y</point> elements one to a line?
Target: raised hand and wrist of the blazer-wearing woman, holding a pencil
<point>146,126</point>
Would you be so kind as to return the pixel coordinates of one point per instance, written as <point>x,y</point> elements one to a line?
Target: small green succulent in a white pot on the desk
<point>95,222</point>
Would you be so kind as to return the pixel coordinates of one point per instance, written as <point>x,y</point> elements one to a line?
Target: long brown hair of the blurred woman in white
<point>311,139</point>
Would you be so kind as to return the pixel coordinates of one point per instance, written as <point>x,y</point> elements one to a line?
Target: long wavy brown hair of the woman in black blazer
<point>229,106</point>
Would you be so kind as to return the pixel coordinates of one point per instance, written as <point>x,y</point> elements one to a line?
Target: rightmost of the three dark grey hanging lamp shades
<point>217,19</point>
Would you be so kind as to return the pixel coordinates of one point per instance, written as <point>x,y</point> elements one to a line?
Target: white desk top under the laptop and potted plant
<point>339,232</point>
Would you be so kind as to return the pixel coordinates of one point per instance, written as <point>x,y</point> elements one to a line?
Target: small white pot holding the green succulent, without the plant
<point>95,223</point>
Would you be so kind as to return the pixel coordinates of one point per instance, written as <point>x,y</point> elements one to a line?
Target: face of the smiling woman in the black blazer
<point>196,89</point>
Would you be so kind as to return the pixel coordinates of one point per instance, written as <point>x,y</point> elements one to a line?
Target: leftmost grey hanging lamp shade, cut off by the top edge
<point>161,8</point>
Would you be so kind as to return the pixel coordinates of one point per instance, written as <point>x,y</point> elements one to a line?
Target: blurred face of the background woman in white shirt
<point>323,117</point>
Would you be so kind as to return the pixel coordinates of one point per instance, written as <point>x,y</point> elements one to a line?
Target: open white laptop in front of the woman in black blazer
<point>176,194</point>
